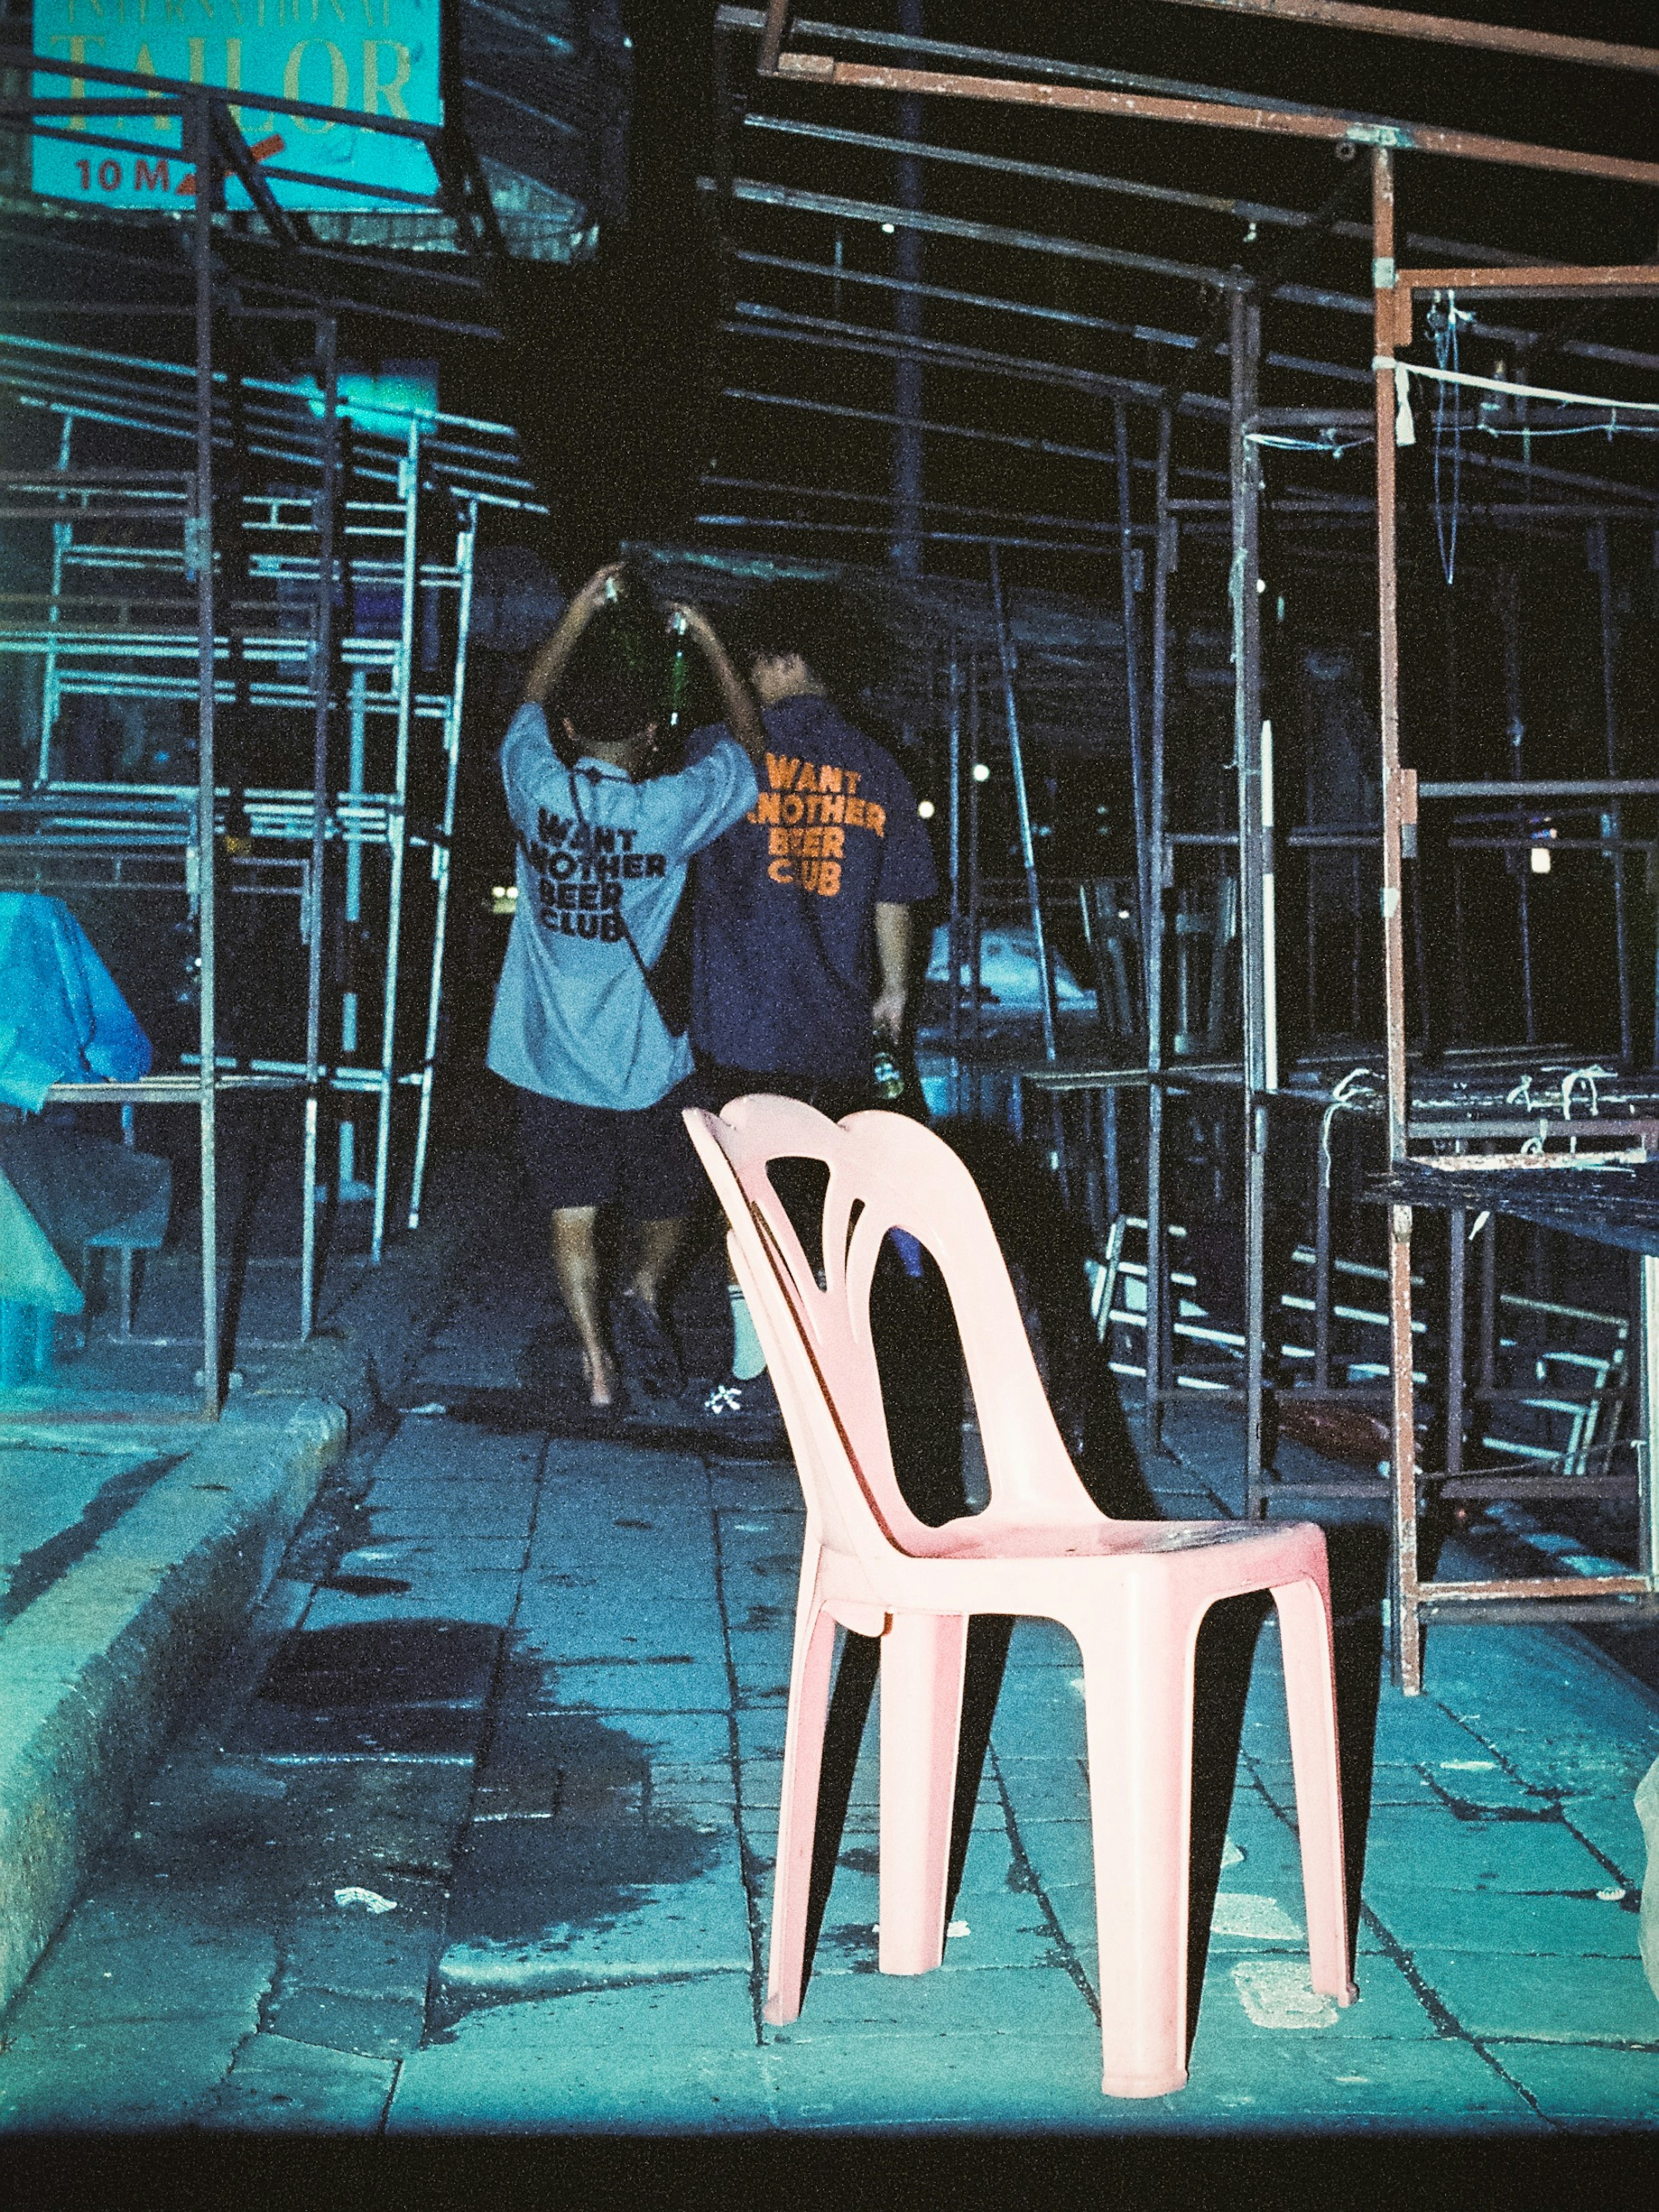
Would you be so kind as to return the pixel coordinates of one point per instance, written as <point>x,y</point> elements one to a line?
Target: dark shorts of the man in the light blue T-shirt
<point>594,1156</point>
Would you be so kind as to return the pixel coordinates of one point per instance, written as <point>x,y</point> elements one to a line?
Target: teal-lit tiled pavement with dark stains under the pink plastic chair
<point>530,1695</point>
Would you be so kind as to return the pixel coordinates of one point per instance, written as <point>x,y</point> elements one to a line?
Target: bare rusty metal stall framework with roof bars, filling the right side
<point>1423,1092</point>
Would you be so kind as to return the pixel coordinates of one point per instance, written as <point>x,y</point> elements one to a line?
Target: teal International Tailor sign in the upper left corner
<point>368,56</point>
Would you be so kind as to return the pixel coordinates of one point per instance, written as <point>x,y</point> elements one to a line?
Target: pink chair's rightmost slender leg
<point>1311,1693</point>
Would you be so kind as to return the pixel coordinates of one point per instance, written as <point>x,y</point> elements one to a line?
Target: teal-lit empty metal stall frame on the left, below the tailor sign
<point>218,587</point>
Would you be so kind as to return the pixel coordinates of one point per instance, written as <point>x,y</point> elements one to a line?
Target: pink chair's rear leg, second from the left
<point>921,1724</point>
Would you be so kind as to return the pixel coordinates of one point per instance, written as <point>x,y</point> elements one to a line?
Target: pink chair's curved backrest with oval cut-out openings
<point>886,1171</point>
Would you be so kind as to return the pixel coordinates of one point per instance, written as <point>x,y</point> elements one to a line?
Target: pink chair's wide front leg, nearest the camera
<point>1138,1702</point>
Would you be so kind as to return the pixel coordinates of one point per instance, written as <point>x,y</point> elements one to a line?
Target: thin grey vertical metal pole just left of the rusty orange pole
<point>1246,755</point>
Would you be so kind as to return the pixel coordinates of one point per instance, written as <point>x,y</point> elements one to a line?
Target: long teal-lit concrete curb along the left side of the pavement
<point>101,1667</point>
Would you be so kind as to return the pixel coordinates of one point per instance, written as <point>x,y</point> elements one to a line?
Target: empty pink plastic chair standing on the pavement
<point>1131,1594</point>
